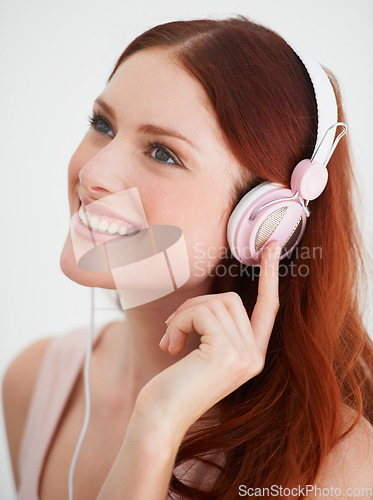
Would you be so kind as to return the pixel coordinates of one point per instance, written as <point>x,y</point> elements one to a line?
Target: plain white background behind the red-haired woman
<point>54,60</point>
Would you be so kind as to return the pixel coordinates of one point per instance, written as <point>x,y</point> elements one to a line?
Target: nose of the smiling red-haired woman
<point>104,173</point>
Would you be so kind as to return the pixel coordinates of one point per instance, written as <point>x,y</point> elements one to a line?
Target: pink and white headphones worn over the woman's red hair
<point>273,212</point>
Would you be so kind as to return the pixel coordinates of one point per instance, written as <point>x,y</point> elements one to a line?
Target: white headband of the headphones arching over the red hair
<point>327,108</point>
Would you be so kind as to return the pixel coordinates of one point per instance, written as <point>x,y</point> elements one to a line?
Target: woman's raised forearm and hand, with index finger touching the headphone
<point>232,351</point>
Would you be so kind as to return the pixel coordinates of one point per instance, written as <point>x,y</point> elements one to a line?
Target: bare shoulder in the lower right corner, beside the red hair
<point>350,463</point>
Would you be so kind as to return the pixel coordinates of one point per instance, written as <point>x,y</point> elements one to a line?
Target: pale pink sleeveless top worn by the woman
<point>59,370</point>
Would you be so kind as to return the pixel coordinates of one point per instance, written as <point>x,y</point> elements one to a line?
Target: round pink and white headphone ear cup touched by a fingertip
<point>283,221</point>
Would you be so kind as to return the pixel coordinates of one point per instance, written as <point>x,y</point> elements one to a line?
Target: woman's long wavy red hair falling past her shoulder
<point>278,428</point>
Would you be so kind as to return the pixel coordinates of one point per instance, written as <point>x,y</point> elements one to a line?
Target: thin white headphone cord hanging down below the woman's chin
<point>87,399</point>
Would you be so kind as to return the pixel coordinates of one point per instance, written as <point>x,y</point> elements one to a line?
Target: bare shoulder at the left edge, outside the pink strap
<point>17,389</point>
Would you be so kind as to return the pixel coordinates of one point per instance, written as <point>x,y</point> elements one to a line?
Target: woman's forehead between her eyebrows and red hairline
<point>151,87</point>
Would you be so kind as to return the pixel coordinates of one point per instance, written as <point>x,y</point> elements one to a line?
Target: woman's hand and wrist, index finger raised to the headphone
<point>232,350</point>
